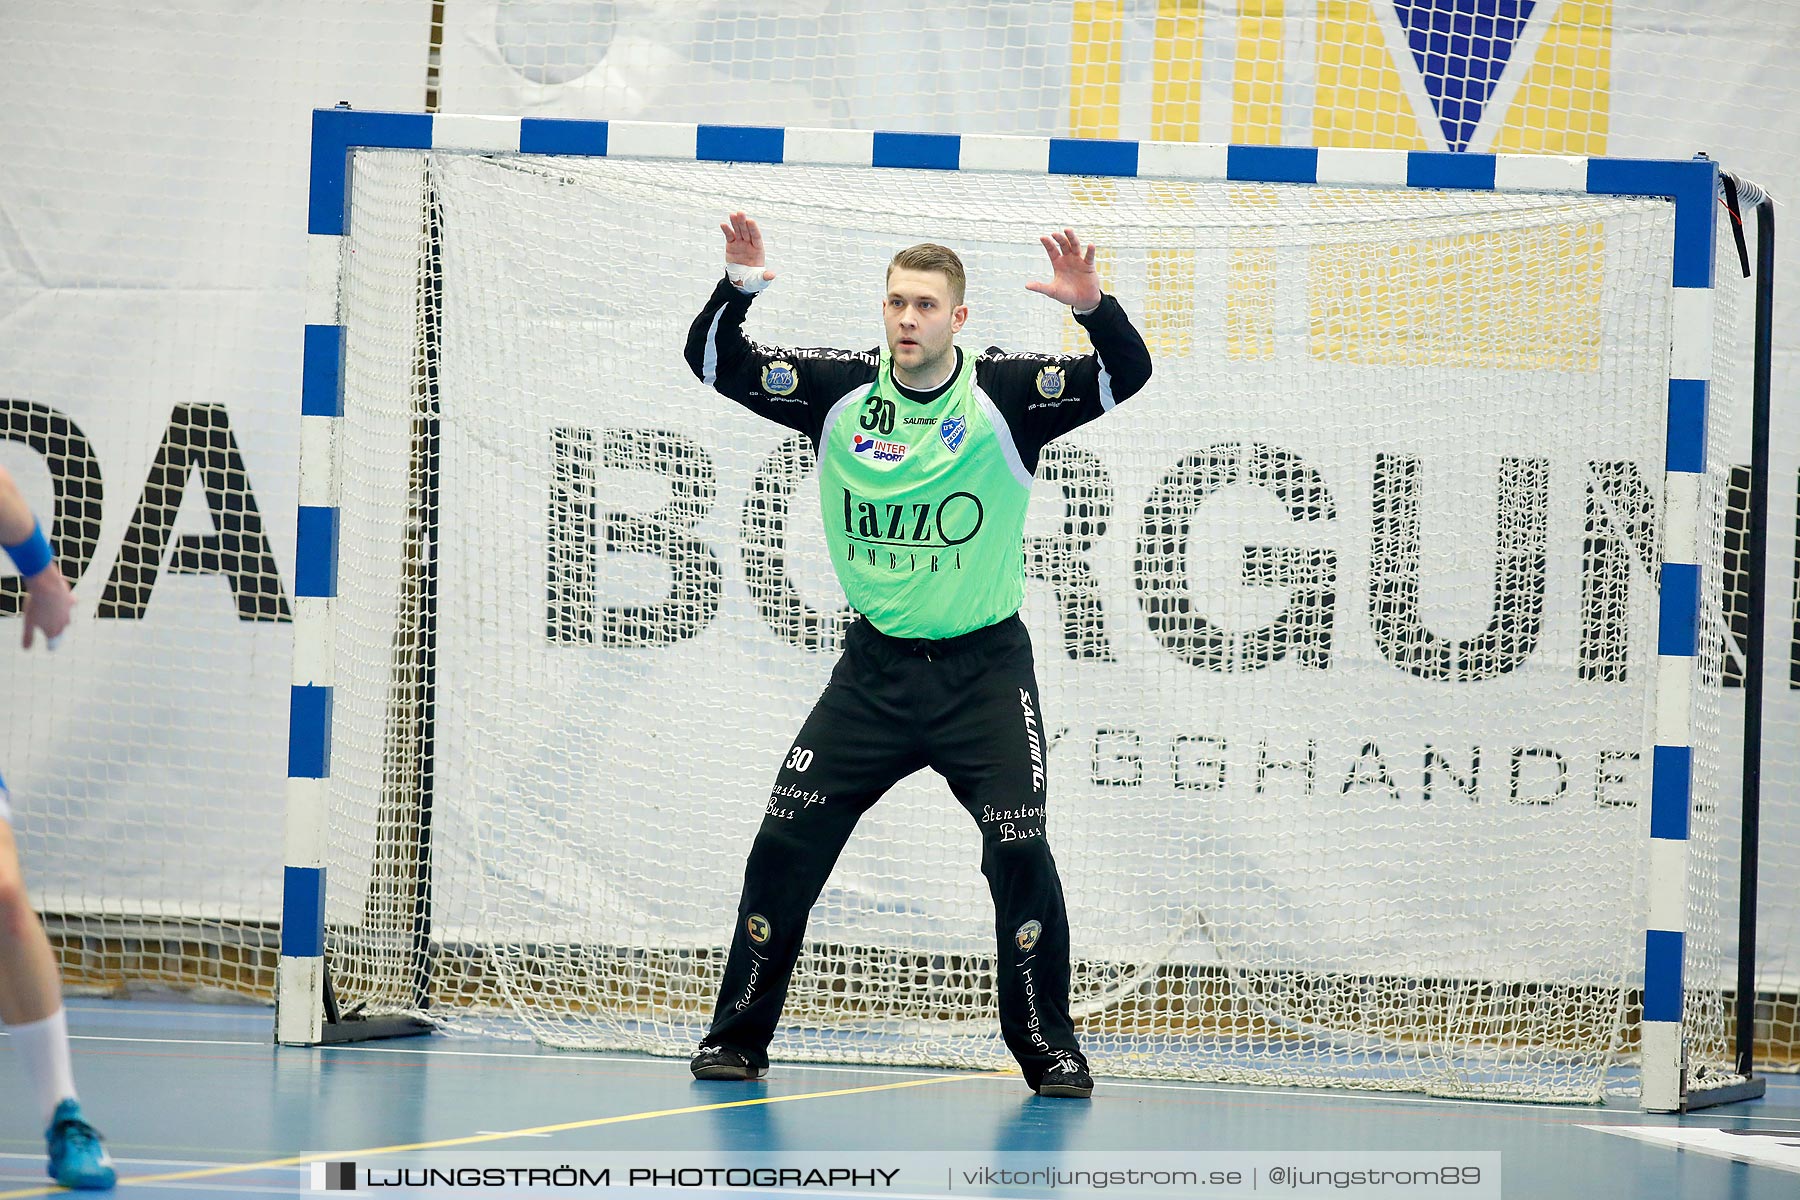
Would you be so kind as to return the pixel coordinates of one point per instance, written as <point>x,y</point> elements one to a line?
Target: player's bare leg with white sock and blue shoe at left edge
<point>31,1008</point>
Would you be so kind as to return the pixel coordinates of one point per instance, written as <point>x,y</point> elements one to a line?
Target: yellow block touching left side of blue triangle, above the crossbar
<point>1360,100</point>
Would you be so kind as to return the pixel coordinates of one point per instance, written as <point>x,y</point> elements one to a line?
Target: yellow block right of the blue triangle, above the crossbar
<point>1565,102</point>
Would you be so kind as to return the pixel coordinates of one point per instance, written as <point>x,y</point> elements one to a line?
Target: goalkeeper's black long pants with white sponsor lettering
<point>969,710</point>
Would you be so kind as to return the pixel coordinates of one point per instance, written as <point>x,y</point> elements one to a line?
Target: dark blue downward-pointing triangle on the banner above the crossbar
<point>1462,49</point>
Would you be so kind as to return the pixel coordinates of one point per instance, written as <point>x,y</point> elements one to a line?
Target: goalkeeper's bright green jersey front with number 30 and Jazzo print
<point>924,508</point>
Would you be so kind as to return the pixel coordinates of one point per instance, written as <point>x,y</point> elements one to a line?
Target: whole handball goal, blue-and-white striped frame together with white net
<point>1635,796</point>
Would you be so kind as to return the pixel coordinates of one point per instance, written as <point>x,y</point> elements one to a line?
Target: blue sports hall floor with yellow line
<point>199,1102</point>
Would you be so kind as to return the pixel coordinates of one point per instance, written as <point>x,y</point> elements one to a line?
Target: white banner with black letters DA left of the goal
<point>152,298</point>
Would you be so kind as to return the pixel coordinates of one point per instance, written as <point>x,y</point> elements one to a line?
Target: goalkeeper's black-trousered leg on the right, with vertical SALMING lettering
<point>993,749</point>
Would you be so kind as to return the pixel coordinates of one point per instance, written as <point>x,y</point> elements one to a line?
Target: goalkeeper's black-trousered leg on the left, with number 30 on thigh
<point>850,751</point>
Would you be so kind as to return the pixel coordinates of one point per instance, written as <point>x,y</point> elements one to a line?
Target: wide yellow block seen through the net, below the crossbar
<point>1515,301</point>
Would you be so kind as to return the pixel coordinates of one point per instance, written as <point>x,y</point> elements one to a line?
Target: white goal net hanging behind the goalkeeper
<point>1347,625</point>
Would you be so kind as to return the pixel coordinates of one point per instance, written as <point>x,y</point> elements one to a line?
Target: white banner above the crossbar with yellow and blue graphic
<point>1650,78</point>
